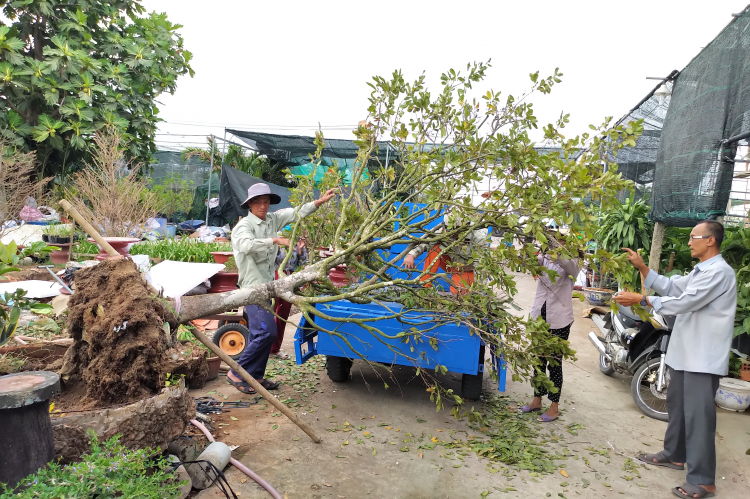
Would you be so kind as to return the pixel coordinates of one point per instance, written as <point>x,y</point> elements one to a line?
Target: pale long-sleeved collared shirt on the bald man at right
<point>704,302</point>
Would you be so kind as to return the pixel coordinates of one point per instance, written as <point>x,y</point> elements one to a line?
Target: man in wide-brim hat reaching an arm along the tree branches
<point>255,243</point>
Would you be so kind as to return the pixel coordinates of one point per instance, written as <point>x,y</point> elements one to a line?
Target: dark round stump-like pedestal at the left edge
<point>25,428</point>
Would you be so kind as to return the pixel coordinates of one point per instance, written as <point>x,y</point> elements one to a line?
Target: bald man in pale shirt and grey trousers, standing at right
<point>704,302</point>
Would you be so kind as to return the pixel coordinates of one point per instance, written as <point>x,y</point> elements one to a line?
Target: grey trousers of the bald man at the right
<point>691,431</point>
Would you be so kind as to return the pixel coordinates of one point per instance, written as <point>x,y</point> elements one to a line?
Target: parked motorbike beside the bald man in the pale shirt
<point>632,346</point>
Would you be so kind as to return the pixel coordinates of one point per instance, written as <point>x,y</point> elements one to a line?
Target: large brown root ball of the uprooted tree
<point>119,339</point>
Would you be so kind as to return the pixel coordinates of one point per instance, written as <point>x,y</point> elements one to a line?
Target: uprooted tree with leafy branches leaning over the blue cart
<point>448,143</point>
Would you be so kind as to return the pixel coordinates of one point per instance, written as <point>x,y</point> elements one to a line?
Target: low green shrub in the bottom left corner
<point>109,470</point>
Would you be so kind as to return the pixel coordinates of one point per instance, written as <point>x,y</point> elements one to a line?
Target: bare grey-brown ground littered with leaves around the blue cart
<point>341,468</point>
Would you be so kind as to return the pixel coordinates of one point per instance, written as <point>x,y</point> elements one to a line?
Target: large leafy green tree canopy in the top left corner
<point>69,68</point>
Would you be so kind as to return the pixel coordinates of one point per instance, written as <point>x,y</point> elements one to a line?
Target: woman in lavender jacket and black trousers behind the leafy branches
<point>554,302</point>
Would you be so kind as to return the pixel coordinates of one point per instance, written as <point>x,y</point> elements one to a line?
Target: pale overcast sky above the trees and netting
<point>285,66</point>
